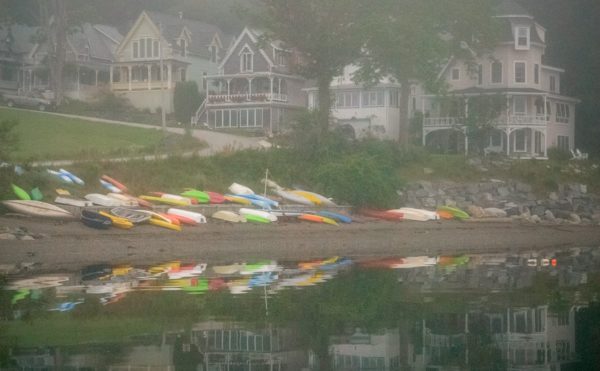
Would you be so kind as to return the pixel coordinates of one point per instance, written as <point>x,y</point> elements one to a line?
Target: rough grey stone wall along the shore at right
<point>571,203</point>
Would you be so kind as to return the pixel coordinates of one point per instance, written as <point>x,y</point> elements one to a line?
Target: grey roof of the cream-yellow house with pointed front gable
<point>202,34</point>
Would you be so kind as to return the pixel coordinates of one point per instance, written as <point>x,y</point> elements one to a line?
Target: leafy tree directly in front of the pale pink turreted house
<point>412,40</point>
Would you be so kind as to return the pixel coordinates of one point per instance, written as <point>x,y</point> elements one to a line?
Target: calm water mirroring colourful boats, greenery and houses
<point>536,311</point>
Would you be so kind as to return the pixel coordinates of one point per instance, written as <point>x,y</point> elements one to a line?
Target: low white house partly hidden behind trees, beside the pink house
<point>363,111</point>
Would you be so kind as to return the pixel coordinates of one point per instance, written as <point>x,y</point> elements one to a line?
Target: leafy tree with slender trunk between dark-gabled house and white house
<point>327,34</point>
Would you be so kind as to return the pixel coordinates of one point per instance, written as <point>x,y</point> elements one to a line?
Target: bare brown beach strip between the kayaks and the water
<point>69,245</point>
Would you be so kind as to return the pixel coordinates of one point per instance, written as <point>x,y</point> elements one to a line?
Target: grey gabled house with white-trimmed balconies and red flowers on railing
<point>254,88</point>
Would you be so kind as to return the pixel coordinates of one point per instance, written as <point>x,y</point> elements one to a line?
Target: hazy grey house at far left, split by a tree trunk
<point>89,53</point>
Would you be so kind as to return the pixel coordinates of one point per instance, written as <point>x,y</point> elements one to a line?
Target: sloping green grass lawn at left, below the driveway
<point>50,137</point>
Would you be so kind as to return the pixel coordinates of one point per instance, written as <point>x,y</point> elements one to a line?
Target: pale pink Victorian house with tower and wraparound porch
<point>534,117</point>
